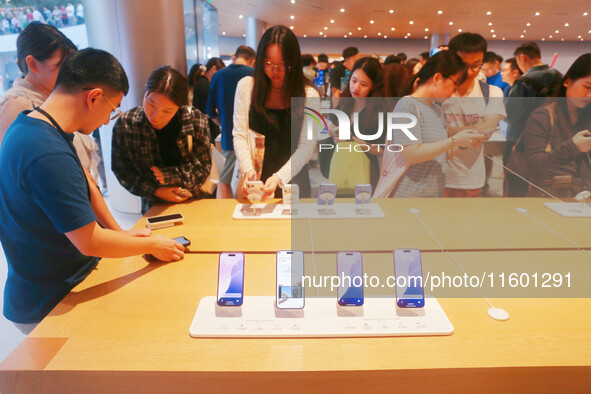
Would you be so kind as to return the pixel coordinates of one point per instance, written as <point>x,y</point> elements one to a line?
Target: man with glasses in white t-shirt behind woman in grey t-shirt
<point>476,106</point>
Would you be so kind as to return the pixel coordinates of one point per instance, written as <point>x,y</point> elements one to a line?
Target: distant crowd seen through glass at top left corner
<point>13,20</point>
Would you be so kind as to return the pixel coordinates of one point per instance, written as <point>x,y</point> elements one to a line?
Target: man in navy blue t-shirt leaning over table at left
<point>51,234</point>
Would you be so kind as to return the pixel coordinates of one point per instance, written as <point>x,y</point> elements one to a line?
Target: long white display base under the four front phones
<point>321,317</point>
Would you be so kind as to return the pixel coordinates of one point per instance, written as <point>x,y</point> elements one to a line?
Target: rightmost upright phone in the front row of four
<point>409,278</point>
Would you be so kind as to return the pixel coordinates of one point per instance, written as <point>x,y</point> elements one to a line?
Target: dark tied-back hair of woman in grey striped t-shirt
<point>445,63</point>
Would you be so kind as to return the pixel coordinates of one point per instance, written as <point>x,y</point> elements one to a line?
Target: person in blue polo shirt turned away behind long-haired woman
<point>220,107</point>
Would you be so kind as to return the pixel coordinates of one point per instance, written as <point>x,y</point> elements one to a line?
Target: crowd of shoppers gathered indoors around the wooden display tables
<point>162,149</point>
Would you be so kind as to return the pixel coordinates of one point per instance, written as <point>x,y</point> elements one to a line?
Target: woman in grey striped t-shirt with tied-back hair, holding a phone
<point>425,157</point>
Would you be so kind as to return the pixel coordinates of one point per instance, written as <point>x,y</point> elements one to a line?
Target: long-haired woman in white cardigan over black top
<point>263,104</point>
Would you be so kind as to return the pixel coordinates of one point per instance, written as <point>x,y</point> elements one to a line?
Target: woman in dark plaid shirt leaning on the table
<point>161,150</point>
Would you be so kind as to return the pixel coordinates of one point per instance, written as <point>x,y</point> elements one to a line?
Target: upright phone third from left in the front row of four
<point>350,272</point>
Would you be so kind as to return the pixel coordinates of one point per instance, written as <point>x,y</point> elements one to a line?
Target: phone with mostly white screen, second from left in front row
<point>290,276</point>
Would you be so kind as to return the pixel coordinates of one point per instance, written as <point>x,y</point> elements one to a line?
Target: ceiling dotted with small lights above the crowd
<point>509,18</point>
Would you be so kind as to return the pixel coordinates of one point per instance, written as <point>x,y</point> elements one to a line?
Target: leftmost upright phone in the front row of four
<point>231,279</point>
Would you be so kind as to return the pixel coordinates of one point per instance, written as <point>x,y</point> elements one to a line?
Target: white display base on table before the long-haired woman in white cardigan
<point>308,211</point>
